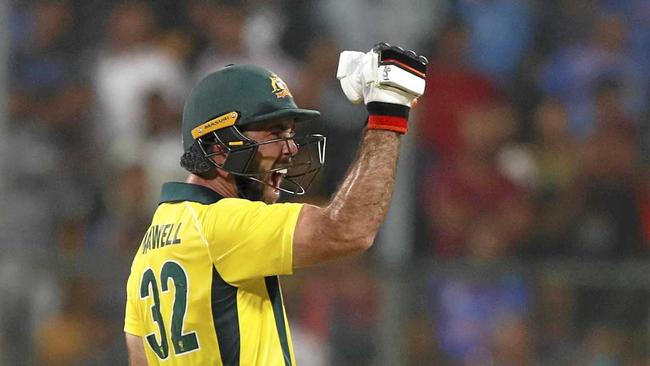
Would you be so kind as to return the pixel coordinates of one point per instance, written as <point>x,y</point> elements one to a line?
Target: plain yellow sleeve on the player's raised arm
<point>251,239</point>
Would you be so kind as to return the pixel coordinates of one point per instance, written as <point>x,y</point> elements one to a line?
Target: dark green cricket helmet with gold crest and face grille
<point>231,100</point>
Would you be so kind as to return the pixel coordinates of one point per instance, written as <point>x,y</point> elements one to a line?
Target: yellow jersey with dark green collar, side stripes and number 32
<point>203,288</point>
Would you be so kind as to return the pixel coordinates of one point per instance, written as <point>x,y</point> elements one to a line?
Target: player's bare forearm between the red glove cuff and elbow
<point>360,205</point>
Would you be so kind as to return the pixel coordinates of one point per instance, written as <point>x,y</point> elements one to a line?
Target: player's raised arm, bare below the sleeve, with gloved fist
<point>387,79</point>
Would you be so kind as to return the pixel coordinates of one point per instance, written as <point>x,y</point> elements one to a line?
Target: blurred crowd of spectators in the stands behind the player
<point>532,143</point>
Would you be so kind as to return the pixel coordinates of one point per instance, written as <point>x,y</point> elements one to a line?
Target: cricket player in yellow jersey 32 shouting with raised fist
<point>203,288</point>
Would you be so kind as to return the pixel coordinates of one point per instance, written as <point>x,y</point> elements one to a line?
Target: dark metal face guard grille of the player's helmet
<point>240,153</point>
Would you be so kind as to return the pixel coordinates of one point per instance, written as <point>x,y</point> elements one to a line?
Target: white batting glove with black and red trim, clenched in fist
<point>387,79</point>
